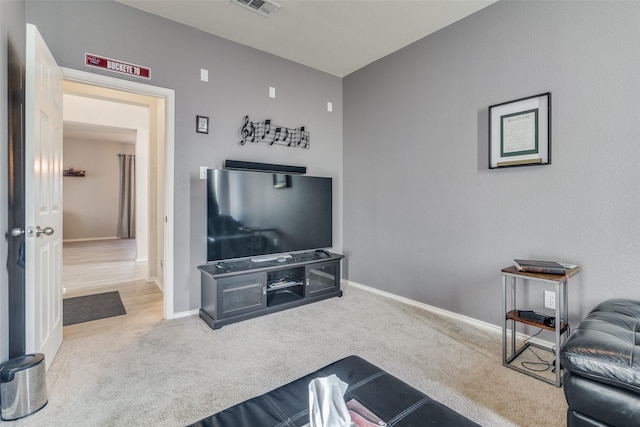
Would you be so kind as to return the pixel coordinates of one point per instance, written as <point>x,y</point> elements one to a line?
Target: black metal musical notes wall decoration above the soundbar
<point>266,132</point>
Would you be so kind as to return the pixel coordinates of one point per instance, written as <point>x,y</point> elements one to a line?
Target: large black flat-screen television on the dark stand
<point>253,214</point>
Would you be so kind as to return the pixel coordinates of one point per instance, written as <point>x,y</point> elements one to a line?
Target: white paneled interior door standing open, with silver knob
<point>43,199</point>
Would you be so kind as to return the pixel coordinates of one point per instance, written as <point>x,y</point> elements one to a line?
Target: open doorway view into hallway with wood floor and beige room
<point>105,221</point>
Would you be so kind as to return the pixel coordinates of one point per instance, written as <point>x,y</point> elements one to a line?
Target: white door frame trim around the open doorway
<point>169,97</point>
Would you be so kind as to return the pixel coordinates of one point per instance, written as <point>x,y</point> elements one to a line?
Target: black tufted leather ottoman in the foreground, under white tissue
<point>393,401</point>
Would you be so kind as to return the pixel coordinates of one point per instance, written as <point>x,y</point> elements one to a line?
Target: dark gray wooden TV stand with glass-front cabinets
<point>232,291</point>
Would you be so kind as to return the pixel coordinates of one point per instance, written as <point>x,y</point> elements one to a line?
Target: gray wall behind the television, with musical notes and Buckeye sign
<point>239,78</point>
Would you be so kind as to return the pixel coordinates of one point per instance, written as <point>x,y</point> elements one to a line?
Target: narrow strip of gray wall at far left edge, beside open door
<point>12,32</point>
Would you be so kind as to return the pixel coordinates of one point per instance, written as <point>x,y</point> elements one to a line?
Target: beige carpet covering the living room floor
<point>176,372</point>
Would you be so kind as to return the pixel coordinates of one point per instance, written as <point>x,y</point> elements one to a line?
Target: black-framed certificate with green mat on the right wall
<point>520,132</point>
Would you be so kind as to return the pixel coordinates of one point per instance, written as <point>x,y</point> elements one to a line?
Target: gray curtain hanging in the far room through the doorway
<point>127,197</point>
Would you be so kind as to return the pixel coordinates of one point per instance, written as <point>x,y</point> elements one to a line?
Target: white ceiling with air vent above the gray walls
<point>334,36</point>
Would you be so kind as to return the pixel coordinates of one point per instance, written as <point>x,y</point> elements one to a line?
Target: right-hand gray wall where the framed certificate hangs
<point>424,217</point>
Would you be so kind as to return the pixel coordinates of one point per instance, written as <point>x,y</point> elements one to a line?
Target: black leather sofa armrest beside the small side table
<point>601,361</point>
